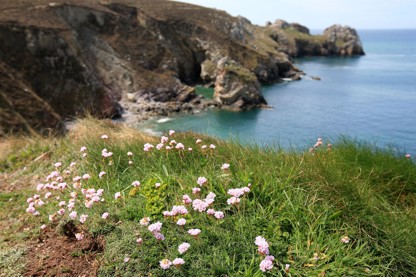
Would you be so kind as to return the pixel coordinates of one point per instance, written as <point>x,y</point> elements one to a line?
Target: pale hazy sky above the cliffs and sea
<point>319,14</point>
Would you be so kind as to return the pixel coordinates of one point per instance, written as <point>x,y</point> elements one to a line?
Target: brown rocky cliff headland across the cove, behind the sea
<point>62,59</point>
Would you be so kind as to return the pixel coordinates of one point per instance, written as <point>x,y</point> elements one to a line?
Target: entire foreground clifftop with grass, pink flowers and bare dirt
<point>343,209</point>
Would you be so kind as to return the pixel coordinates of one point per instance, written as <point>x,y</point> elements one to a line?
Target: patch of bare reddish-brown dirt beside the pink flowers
<point>57,255</point>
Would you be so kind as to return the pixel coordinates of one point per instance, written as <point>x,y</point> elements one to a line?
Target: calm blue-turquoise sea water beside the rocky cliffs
<point>368,98</point>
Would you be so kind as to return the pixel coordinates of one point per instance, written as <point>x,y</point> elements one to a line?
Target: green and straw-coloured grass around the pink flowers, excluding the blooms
<point>302,203</point>
